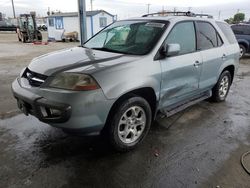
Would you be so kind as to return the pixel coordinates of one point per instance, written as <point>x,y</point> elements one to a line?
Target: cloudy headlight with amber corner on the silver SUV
<point>74,81</point>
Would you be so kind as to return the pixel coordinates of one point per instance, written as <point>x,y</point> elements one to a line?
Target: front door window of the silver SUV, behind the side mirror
<point>183,34</point>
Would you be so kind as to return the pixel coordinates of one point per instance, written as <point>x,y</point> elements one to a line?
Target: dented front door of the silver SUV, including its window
<point>180,73</point>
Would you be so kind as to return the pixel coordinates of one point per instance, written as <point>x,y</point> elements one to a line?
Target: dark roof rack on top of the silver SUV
<point>190,14</point>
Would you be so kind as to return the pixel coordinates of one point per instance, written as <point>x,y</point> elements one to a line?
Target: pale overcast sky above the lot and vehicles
<point>131,8</point>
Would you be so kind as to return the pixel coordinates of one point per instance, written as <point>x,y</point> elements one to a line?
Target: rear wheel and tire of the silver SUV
<point>221,89</point>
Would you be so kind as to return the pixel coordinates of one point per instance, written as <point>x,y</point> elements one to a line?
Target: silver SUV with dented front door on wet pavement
<point>129,72</point>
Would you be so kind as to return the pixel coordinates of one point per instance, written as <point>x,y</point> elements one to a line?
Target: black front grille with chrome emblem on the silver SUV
<point>35,79</point>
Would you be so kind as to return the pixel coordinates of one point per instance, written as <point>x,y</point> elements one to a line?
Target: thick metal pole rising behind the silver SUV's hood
<point>82,20</point>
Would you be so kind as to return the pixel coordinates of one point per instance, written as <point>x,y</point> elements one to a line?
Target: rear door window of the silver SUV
<point>206,36</point>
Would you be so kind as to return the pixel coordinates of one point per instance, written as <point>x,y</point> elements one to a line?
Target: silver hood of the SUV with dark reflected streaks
<point>79,59</point>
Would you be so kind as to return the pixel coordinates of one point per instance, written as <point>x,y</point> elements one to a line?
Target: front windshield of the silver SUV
<point>128,37</point>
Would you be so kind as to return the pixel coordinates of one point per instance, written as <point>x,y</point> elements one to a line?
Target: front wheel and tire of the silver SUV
<point>126,129</point>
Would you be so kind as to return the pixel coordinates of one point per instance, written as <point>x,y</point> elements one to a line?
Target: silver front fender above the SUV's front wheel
<point>122,79</point>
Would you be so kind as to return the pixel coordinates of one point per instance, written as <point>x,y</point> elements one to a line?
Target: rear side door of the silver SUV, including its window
<point>213,53</point>
